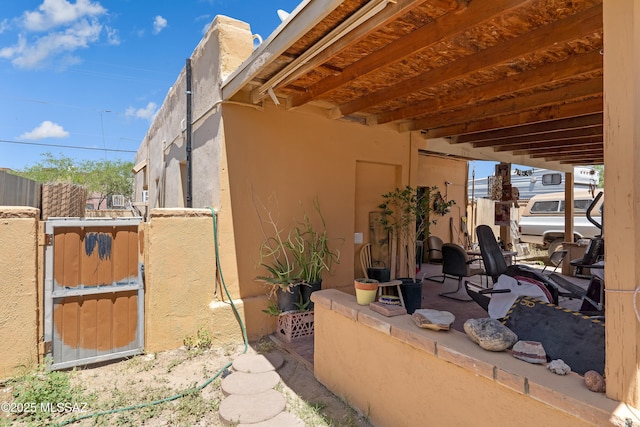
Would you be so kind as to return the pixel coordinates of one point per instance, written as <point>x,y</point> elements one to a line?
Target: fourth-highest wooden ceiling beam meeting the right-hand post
<point>542,115</point>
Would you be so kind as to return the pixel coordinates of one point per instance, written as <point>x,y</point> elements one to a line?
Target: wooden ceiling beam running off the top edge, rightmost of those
<point>445,27</point>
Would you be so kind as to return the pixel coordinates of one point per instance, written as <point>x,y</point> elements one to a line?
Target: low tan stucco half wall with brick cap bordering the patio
<point>400,375</point>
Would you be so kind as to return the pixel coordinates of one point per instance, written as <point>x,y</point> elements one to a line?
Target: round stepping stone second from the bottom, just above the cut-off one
<point>251,408</point>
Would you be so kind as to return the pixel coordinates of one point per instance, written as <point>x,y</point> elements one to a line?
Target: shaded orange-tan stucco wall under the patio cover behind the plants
<point>284,160</point>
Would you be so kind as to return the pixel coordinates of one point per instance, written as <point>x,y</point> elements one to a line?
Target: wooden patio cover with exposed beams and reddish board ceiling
<point>517,76</point>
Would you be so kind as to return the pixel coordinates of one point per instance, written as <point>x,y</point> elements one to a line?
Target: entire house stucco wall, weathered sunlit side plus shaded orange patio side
<point>246,157</point>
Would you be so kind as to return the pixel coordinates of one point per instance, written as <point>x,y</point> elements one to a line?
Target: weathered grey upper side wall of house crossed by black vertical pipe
<point>225,45</point>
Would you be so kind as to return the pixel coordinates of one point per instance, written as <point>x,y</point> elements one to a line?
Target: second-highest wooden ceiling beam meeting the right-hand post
<point>529,80</point>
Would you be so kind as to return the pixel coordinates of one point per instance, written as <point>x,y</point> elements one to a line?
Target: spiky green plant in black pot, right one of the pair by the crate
<point>311,249</point>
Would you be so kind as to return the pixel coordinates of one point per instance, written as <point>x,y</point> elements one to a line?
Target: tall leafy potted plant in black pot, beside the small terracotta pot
<point>407,214</point>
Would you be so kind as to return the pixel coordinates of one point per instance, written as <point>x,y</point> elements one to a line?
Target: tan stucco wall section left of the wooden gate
<point>18,286</point>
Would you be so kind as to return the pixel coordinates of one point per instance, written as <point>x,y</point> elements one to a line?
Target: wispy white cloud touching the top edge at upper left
<point>54,13</point>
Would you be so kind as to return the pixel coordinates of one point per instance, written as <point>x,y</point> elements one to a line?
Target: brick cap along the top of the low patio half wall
<point>567,394</point>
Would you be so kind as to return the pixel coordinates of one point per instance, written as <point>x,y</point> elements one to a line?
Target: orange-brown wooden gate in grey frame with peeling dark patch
<point>93,290</point>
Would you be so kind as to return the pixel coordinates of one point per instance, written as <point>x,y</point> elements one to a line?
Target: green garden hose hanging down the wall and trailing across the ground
<point>210,380</point>
